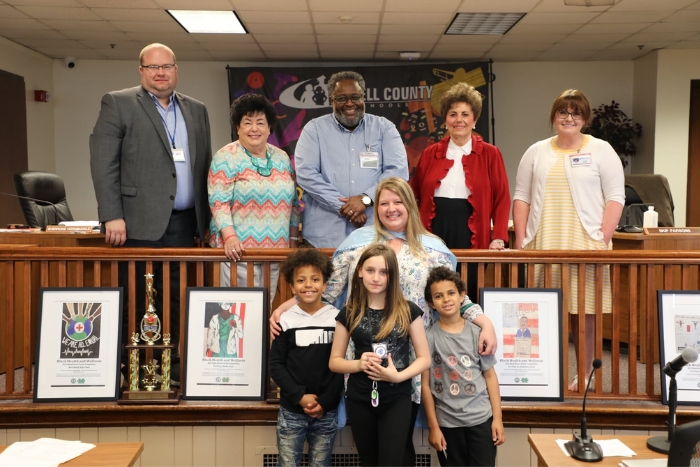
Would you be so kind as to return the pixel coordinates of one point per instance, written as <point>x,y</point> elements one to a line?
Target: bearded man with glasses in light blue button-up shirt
<point>340,158</point>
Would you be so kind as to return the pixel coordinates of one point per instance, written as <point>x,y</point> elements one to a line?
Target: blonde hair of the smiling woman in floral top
<point>414,228</point>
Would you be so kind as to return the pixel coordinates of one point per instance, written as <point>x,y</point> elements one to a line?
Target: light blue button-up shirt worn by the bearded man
<point>328,167</point>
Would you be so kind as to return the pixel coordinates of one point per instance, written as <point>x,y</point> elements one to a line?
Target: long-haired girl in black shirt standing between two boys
<point>380,322</point>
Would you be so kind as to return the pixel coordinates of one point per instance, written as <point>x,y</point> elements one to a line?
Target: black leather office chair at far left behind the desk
<point>48,205</point>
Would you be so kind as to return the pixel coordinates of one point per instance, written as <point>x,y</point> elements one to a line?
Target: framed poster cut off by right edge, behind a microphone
<point>679,327</point>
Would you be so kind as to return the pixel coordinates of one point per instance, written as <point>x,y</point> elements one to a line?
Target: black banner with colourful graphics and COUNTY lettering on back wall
<point>409,96</point>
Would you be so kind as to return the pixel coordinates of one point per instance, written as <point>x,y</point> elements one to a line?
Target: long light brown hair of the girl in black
<point>397,313</point>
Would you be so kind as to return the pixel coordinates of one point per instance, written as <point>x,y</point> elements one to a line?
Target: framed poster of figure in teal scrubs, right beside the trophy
<point>230,365</point>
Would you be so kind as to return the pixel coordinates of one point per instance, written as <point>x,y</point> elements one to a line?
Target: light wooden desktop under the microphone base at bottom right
<point>550,454</point>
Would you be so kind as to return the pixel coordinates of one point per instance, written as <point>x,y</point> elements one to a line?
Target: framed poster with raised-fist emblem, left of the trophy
<point>78,344</point>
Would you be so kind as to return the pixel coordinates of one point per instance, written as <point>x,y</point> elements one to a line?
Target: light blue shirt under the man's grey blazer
<point>176,129</point>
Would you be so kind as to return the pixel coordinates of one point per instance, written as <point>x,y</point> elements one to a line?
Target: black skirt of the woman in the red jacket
<point>451,222</point>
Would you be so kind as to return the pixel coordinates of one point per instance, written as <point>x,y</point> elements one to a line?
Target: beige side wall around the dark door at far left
<point>37,73</point>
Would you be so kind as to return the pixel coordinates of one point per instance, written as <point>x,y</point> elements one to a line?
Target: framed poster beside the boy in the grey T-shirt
<point>530,351</point>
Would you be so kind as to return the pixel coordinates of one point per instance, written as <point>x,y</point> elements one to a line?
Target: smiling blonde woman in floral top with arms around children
<point>398,224</point>
